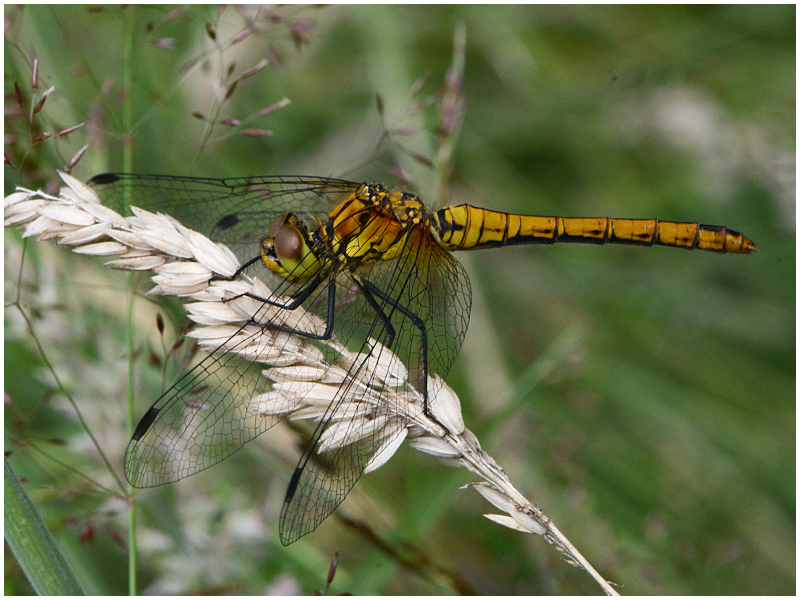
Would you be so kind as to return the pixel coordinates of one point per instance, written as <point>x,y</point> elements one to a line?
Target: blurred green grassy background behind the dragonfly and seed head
<point>643,398</point>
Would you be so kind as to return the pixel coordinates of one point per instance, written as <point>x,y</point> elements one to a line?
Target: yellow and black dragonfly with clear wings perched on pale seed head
<point>372,265</point>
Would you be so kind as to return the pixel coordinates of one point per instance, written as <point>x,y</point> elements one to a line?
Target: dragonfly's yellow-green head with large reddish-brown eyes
<point>287,251</point>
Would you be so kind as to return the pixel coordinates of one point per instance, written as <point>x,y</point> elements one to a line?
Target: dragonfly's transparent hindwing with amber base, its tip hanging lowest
<point>426,286</point>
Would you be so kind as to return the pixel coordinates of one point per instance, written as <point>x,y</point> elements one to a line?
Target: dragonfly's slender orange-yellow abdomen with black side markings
<point>466,227</point>
